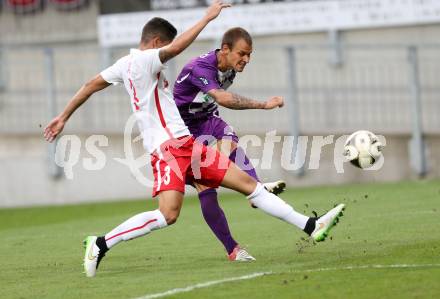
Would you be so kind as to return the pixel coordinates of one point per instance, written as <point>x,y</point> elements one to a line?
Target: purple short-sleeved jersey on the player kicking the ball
<point>198,77</point>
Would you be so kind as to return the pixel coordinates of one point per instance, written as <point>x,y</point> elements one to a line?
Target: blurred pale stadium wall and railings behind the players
<point>342,65</point>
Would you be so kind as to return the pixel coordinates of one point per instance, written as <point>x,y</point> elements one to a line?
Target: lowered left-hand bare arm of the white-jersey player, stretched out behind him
<point>55,127</point>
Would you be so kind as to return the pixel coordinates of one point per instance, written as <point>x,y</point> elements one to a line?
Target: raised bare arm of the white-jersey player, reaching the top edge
<point>186,38</point>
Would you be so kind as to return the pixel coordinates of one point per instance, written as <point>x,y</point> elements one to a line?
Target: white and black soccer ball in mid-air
<point>363,149</point>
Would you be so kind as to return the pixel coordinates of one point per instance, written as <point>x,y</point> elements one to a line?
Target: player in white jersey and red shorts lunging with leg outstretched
<point>175,156</point>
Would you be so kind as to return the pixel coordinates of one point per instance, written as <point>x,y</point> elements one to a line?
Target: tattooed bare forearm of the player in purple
<point>234,101</point>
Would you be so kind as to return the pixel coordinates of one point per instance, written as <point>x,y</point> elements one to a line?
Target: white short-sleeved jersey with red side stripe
<point>156,112</point>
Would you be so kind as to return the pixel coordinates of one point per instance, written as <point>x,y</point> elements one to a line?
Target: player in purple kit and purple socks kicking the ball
<point>200,86</point>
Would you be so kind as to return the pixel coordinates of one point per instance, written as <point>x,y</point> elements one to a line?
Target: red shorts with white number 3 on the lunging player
<point>184,160</point>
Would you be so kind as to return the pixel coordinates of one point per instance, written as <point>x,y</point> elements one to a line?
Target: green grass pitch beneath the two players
<point>387,245</point>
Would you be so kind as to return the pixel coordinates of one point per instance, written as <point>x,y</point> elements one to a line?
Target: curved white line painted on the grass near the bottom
<point>258,274</point>
